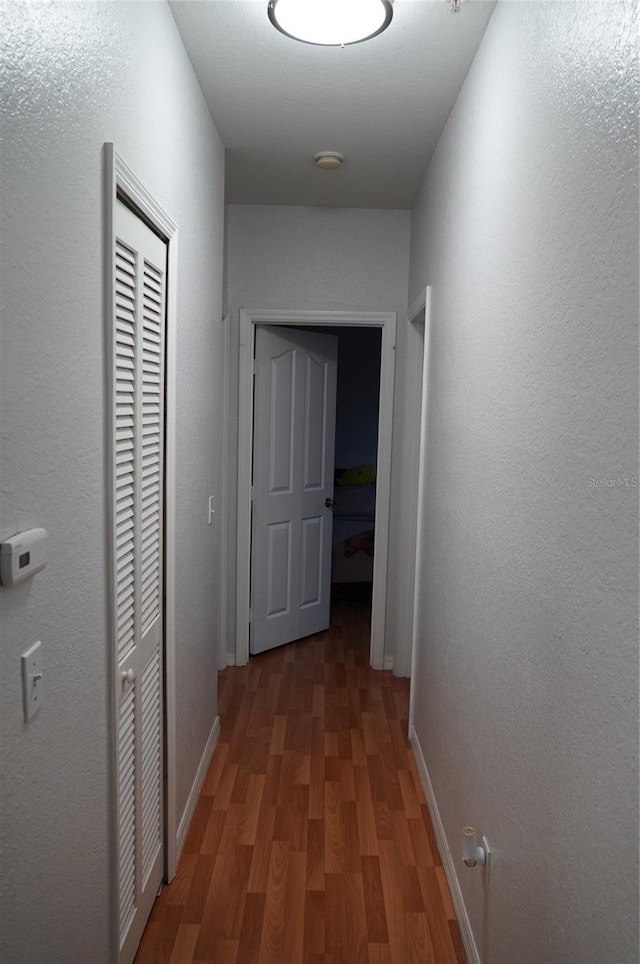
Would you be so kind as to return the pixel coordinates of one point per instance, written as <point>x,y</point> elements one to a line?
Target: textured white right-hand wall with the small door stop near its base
<point>526,682</point>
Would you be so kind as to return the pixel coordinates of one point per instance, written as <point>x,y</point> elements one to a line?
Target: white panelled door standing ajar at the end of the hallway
<point>293,455</point>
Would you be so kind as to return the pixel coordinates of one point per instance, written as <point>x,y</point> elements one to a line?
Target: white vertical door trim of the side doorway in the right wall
<point>422,475</point>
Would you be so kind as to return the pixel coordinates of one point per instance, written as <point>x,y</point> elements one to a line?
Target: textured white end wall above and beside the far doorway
<point>315,258</point>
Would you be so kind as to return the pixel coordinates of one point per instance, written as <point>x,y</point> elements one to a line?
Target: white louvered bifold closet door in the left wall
<point>140,260</point>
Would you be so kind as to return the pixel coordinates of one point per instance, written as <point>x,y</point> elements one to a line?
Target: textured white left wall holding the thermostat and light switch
<point>73,76</point>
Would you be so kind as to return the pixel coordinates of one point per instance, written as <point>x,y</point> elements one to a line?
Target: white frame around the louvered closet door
<point>120,181</point>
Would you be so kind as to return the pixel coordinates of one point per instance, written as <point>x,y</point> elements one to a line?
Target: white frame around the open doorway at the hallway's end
<point>249,318</point>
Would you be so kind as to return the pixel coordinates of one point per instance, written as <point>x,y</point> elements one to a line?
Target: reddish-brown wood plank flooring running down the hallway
<point>311,842</point>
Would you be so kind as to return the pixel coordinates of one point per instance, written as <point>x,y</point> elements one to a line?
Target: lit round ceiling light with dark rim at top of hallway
<point>330,23</point>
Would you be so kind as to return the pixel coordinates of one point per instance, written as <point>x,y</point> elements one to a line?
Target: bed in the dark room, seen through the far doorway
<point>353,525</point>
